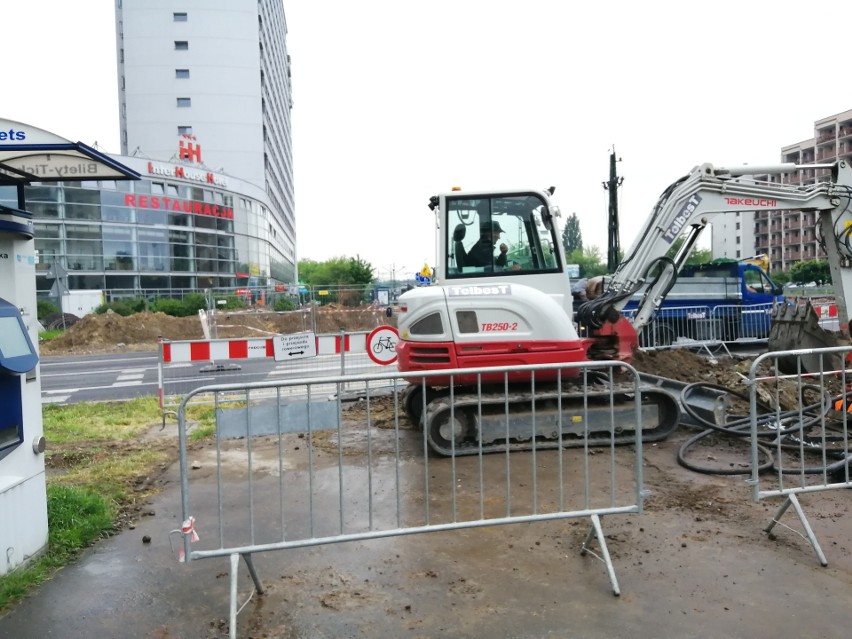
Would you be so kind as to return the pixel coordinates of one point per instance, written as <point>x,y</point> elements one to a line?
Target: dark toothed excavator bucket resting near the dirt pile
<point>795,325</point>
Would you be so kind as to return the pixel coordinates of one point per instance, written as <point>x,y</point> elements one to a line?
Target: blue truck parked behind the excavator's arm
<point>724,300</point>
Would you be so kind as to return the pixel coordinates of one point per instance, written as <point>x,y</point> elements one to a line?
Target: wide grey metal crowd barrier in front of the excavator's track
<point>299,469</point>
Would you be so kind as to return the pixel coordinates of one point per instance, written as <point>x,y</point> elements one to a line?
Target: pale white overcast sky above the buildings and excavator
<point>395,101</point>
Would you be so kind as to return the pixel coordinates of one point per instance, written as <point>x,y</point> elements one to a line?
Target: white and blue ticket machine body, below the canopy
<point>23,527</point>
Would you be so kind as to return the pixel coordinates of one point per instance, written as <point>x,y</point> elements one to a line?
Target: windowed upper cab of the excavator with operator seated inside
<point>499,234</point>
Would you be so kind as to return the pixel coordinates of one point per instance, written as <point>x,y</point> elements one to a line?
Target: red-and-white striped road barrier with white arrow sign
<point>184,365</point>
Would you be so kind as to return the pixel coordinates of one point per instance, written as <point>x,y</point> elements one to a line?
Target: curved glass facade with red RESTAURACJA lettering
<point>153,237</point>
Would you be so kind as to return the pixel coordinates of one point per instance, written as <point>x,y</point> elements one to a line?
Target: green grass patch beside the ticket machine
<point>100,459</point>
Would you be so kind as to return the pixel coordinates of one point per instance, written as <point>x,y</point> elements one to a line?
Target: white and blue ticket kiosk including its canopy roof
<point>28,155</point>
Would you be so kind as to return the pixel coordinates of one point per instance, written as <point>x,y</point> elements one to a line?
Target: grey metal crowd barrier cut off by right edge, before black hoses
<point>800,428</point>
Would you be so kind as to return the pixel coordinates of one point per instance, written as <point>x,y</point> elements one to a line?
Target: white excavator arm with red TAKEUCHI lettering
<point>689,204</point>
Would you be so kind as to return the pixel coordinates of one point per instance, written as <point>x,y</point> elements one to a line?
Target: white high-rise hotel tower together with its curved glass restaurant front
<point>204,94</point>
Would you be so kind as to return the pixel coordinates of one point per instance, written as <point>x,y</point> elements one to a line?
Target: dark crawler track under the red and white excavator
<point>465,423</point>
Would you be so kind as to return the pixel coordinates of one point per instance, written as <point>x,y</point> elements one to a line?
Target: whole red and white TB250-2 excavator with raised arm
<point>502,297</point>
